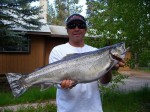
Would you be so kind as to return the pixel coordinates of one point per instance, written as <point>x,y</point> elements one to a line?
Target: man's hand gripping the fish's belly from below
<point>67,84</point>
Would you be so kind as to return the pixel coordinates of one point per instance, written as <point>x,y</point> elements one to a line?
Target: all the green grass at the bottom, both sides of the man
<point>134,101</point>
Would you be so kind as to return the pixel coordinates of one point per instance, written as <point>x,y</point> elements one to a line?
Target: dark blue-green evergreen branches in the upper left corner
<point>17,13</point>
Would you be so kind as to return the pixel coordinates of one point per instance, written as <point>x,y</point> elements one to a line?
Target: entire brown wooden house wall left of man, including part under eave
<point>36,58</point>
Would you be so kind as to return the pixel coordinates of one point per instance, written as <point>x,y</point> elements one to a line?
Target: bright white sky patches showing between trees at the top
<point>81,2</point>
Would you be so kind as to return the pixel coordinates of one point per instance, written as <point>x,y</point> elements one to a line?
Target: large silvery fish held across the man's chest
<point>80,67</point>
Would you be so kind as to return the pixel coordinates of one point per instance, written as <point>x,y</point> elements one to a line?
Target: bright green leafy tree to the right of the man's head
<point>127,20</point>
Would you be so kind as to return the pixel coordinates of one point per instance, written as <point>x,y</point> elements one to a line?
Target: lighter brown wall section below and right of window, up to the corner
<point>23,62</point>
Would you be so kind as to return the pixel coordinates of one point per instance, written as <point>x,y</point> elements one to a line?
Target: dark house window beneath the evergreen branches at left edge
<point>21,44</point>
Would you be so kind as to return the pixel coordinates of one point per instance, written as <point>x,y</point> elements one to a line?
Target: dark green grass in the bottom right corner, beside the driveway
<point>134,101</point>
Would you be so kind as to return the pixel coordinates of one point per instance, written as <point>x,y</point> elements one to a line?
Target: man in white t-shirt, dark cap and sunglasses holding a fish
<point>82,97</point>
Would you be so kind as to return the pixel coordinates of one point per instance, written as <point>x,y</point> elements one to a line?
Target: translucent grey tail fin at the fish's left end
<point>16,83</point>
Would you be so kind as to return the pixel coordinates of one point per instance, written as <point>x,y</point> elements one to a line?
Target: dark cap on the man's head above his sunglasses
<point>74,17</point>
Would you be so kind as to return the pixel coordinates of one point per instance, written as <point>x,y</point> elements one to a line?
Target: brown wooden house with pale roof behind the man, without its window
<point>40,45</point>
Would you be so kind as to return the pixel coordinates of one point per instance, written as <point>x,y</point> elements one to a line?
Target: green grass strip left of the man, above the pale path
<point>31,95</point>
